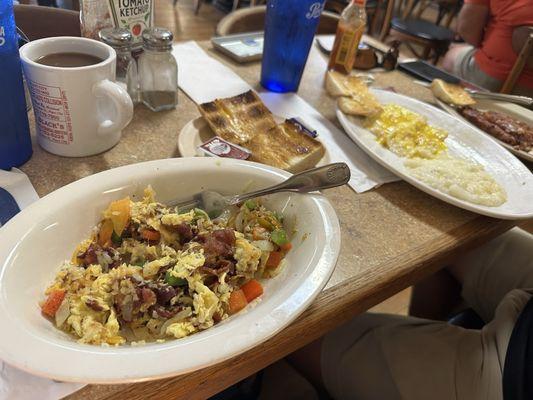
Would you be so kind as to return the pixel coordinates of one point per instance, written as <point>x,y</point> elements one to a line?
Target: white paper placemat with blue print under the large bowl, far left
<point>17,192</point>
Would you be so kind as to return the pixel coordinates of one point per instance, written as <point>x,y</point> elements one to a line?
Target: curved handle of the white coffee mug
<point>122,102</point>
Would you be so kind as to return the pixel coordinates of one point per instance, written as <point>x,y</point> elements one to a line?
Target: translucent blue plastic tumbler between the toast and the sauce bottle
<point>290,27</point>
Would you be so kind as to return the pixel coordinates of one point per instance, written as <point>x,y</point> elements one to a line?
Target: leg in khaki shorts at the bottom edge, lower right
<point>391,357</point>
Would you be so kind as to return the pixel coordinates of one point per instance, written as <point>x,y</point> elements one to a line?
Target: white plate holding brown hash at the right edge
<point>513,110</point>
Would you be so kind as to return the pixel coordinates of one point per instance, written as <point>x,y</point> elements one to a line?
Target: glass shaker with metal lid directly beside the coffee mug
<point>126,71</point>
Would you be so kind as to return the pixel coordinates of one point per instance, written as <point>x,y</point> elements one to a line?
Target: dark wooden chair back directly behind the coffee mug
<point>39,22</point>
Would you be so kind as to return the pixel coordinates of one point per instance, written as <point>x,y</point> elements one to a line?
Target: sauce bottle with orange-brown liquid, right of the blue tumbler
<point>349,32</point>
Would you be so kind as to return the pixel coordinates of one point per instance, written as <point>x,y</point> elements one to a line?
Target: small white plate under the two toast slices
<point>196,132</point>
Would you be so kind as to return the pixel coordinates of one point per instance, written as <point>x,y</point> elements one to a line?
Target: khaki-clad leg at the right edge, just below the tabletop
<point>492,270</point>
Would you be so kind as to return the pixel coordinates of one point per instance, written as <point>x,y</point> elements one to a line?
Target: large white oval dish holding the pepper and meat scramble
<point>38,239</point>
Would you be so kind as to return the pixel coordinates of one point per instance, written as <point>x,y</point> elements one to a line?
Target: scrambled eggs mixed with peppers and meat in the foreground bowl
<point>147,280</point>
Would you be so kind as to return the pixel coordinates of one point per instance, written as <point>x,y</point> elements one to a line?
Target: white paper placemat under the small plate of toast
<point>204,79</point>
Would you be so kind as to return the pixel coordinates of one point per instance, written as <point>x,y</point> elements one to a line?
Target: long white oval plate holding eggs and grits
<point>464,142</point>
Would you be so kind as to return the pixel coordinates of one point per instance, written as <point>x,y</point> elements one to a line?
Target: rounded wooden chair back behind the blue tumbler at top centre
<point>253,19</point>
